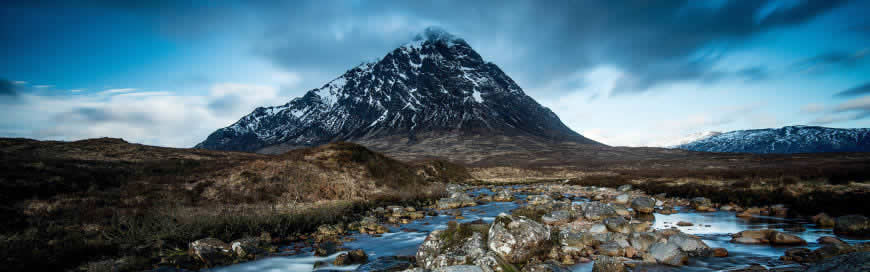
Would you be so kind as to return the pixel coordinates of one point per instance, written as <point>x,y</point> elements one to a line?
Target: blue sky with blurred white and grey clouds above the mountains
<point>625,73</point>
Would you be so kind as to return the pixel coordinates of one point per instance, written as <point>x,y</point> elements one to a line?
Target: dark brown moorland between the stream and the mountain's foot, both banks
<point>69,203</point>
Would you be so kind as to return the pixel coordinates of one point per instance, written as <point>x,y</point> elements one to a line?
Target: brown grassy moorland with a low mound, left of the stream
<point>66,203</point>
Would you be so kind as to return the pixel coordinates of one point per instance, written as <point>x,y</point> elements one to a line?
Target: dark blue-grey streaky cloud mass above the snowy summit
<point>536,42</point>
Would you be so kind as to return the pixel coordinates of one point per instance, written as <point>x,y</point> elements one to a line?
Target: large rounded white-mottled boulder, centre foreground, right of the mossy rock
<point>516,238</point>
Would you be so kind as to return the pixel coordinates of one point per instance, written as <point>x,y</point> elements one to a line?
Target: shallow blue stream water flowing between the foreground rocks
<point>713,227</point>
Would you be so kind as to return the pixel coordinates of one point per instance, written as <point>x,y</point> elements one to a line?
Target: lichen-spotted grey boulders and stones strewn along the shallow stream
<point>557,226</point>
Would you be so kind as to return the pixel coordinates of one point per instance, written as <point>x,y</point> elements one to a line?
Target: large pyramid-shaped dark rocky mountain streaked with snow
<point>434,86</point>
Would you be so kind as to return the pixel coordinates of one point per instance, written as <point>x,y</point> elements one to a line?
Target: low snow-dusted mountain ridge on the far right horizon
<point>786,140</point>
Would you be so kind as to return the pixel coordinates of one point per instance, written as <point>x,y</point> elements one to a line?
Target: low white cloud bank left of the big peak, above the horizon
<point>156,118</point>
